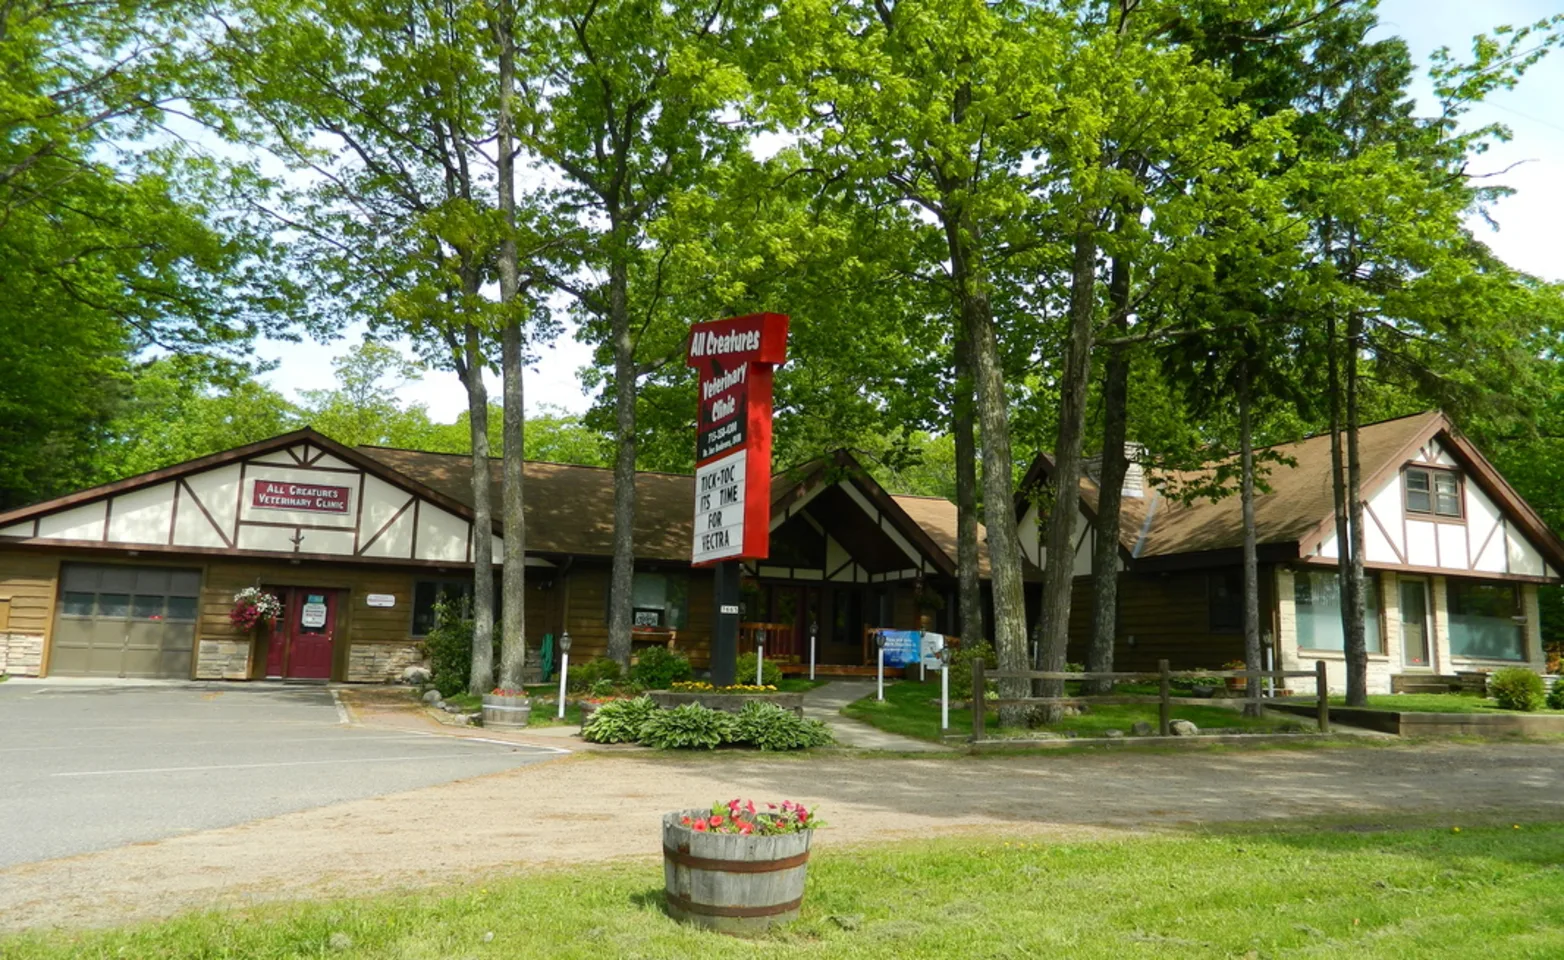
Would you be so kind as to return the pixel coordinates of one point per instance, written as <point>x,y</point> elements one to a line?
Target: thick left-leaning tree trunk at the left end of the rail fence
<point>994,423</point>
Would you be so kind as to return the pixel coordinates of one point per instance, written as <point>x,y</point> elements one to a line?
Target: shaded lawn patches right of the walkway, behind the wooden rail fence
<point>914,711</point>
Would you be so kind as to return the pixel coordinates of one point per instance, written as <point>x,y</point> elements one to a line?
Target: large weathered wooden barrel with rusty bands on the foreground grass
<point>730,883</point>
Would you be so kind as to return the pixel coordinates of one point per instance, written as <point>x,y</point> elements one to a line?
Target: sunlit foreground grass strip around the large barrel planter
<point>1319,894</point>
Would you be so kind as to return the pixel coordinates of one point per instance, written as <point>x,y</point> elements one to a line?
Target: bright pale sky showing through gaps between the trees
<point>1527,237</point>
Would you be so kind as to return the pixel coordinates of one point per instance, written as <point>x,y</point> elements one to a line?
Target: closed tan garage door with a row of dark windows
<point>124,621</point>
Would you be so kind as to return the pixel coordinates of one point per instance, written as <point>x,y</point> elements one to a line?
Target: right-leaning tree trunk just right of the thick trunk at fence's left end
<point>1053,628</point>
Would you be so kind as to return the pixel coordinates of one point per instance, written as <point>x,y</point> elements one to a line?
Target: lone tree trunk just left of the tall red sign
<point>623,578</point>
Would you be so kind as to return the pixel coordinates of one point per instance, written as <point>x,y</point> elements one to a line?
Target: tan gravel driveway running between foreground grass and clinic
<point>561,812</point>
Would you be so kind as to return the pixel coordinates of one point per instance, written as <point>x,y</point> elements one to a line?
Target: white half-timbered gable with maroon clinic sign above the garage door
<point>300,495</point>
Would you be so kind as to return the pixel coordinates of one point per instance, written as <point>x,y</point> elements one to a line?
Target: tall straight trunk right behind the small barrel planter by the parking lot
<point>514,629</point>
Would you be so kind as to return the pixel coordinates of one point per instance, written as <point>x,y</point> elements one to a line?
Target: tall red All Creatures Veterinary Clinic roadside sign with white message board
<point>733,476</point>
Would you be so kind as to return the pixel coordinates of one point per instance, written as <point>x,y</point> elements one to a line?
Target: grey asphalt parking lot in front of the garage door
<point>88,768</point>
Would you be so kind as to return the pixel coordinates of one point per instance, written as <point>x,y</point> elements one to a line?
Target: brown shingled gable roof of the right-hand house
<point>1299,510</point>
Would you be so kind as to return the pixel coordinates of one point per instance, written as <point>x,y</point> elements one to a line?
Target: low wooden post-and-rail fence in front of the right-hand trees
<point>1164,698</point>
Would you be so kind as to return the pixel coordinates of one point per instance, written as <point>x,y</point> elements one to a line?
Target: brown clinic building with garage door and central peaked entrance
<point>137,579</point>
